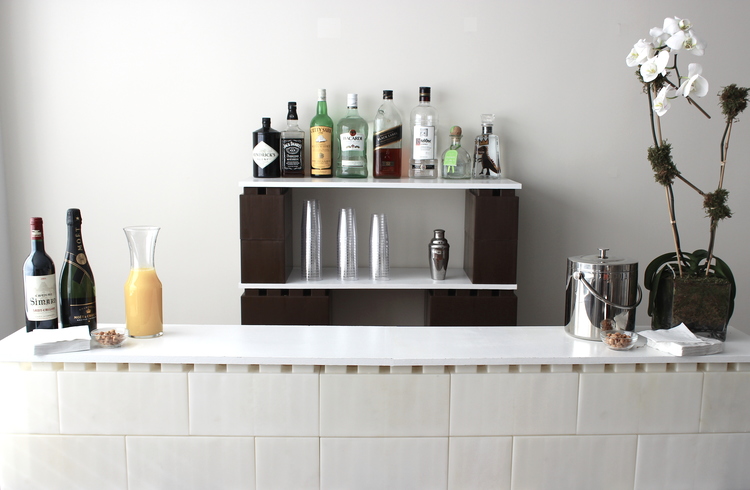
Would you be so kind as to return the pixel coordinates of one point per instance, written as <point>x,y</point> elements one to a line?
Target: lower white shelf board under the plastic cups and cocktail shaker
<point>400,278</point>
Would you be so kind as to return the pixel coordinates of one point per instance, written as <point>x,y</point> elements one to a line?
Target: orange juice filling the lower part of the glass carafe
<point>143,305</point>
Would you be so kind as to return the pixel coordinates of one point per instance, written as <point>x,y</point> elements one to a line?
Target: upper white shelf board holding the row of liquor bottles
<point>373,183</point>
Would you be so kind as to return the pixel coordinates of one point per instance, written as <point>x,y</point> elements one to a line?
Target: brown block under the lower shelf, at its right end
<point>470,308</point>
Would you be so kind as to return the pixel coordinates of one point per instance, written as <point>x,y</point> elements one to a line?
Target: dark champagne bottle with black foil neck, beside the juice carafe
<point>77,289</point>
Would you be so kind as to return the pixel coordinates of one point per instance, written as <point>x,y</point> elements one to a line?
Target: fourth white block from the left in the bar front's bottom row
<point>384,463</point>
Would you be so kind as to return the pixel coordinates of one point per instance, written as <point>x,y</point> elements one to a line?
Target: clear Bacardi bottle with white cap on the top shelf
<point>351,142</point>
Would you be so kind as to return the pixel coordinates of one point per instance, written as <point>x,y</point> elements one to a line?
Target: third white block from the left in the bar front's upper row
<point>253,404</point>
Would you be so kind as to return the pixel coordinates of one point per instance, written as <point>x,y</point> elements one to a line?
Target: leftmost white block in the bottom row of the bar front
<point>39,462</point>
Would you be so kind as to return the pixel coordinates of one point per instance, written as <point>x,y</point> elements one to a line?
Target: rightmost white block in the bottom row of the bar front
<point>693,461</point>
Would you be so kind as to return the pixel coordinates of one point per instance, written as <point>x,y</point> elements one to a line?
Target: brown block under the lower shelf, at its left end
<point>286,307</point>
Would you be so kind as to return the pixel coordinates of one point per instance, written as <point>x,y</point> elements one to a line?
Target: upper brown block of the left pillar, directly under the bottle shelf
<point>265,213</point>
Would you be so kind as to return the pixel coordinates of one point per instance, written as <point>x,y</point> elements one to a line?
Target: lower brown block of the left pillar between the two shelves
<point>265,260</point>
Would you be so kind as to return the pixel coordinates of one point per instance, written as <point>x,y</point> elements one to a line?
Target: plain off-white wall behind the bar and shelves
<point>141,112</point>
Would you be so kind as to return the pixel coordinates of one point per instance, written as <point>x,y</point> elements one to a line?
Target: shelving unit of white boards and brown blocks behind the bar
<point>480,293</point>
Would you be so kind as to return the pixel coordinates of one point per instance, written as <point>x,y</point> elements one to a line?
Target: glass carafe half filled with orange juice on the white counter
<point>143,303</point>
